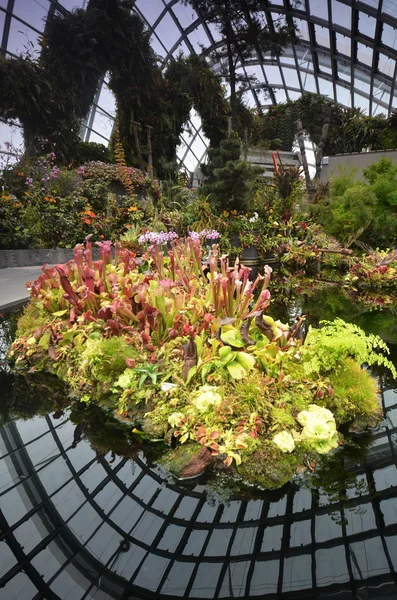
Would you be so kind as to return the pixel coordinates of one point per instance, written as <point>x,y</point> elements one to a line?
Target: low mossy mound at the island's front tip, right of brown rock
<point>269,468</point>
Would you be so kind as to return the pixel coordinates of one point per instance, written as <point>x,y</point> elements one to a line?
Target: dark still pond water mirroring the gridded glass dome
<point>78,522</point>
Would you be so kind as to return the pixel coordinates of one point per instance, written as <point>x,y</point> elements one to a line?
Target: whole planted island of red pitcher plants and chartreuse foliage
<point>184,350</point>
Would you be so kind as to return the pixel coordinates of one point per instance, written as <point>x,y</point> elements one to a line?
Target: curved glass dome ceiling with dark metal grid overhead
<point>347,51</point>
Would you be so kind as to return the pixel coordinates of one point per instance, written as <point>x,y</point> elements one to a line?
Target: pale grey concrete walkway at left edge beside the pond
<point>13,292</point>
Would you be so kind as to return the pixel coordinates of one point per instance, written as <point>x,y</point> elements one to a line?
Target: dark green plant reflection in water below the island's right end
<point>336,478</point>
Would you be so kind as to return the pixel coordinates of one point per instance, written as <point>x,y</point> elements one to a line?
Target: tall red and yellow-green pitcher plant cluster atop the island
<point>169,295</point>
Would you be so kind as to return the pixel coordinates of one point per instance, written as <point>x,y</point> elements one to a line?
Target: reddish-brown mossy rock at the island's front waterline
<point>188,460</point>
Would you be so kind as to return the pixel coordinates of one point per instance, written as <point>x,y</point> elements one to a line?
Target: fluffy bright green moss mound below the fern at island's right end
<point>355,392</point>
